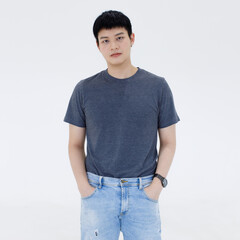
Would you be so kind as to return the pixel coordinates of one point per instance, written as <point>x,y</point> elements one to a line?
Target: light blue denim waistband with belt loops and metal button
<point>102,180</point>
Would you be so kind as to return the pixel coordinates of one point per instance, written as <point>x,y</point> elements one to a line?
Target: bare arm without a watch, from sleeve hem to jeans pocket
<point>77,158</point>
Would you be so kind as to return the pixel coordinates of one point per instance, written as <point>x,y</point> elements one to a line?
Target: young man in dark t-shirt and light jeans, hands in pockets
<point>121,109</point>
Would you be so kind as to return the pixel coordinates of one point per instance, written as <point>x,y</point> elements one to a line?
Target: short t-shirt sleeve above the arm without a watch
<point>75,112</point>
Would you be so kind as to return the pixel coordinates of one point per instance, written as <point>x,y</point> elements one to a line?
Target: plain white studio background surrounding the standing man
<point>46,47</point>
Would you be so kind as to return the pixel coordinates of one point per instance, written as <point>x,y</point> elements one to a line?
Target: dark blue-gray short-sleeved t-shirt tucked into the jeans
<point>122,117</point>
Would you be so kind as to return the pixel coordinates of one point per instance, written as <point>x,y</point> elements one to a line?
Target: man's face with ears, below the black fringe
<point>115,40</point>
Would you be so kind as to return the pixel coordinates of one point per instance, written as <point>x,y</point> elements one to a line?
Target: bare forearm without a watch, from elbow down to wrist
<point>77,160</point>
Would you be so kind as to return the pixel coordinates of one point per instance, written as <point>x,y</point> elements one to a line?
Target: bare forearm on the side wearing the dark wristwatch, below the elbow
<point>166,154</point>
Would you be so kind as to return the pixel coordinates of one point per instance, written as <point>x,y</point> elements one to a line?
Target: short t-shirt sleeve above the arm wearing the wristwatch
<point>167,112</point>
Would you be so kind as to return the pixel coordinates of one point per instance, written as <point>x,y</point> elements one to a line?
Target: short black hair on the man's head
<point>111,19</point>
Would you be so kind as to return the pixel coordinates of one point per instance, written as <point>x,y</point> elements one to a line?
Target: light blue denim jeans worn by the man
<point>119,204</point>
